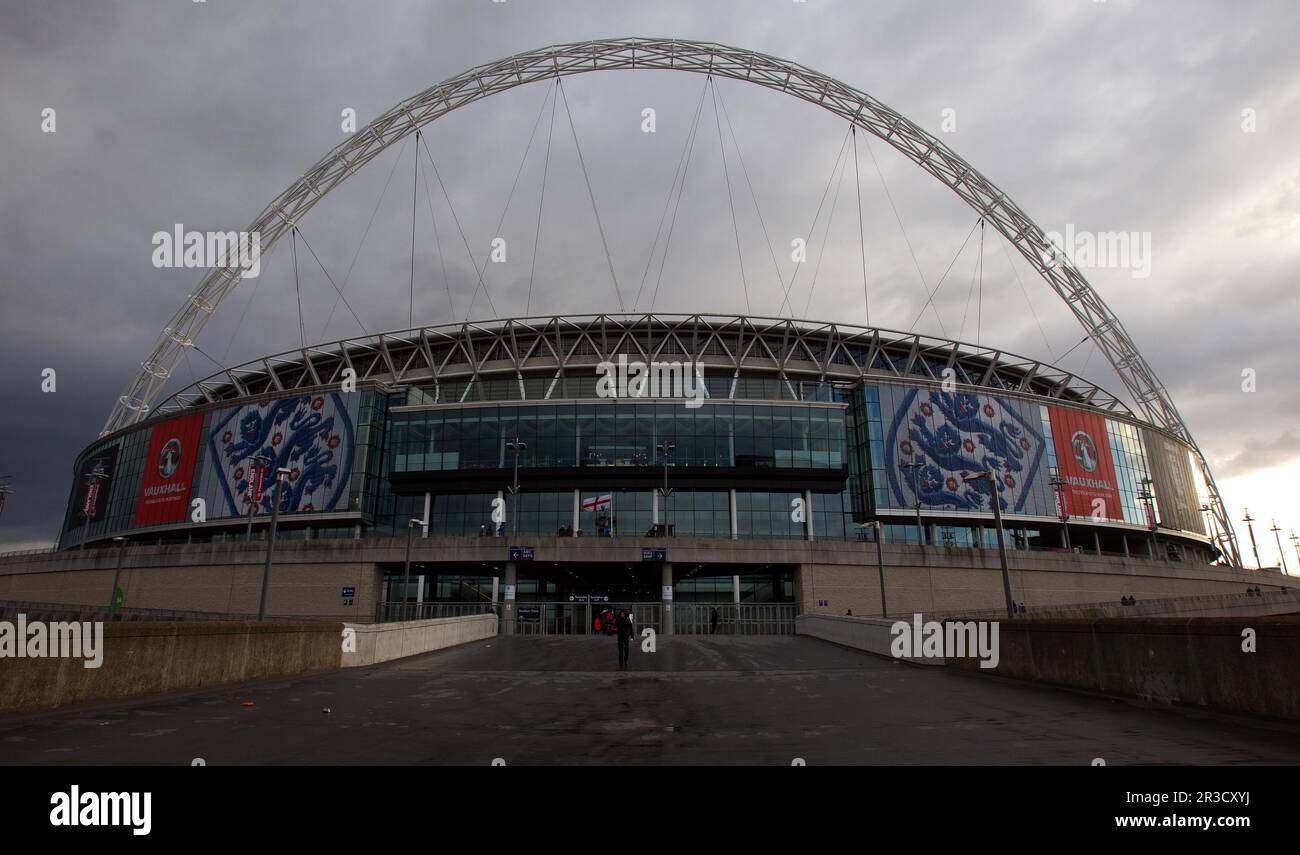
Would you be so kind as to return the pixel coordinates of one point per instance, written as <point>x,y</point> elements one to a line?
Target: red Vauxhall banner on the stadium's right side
<point>1085,465</point>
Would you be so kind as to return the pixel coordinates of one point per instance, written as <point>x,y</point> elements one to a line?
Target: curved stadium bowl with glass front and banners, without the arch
<point>762,429</point>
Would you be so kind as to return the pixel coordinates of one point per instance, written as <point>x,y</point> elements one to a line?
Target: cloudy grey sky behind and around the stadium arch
<point>1119,116</point>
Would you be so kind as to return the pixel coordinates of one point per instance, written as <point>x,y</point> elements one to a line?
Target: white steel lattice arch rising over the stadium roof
<point>701,58</point>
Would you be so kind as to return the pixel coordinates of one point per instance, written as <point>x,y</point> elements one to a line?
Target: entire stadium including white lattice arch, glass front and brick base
<point>682,463</point>
